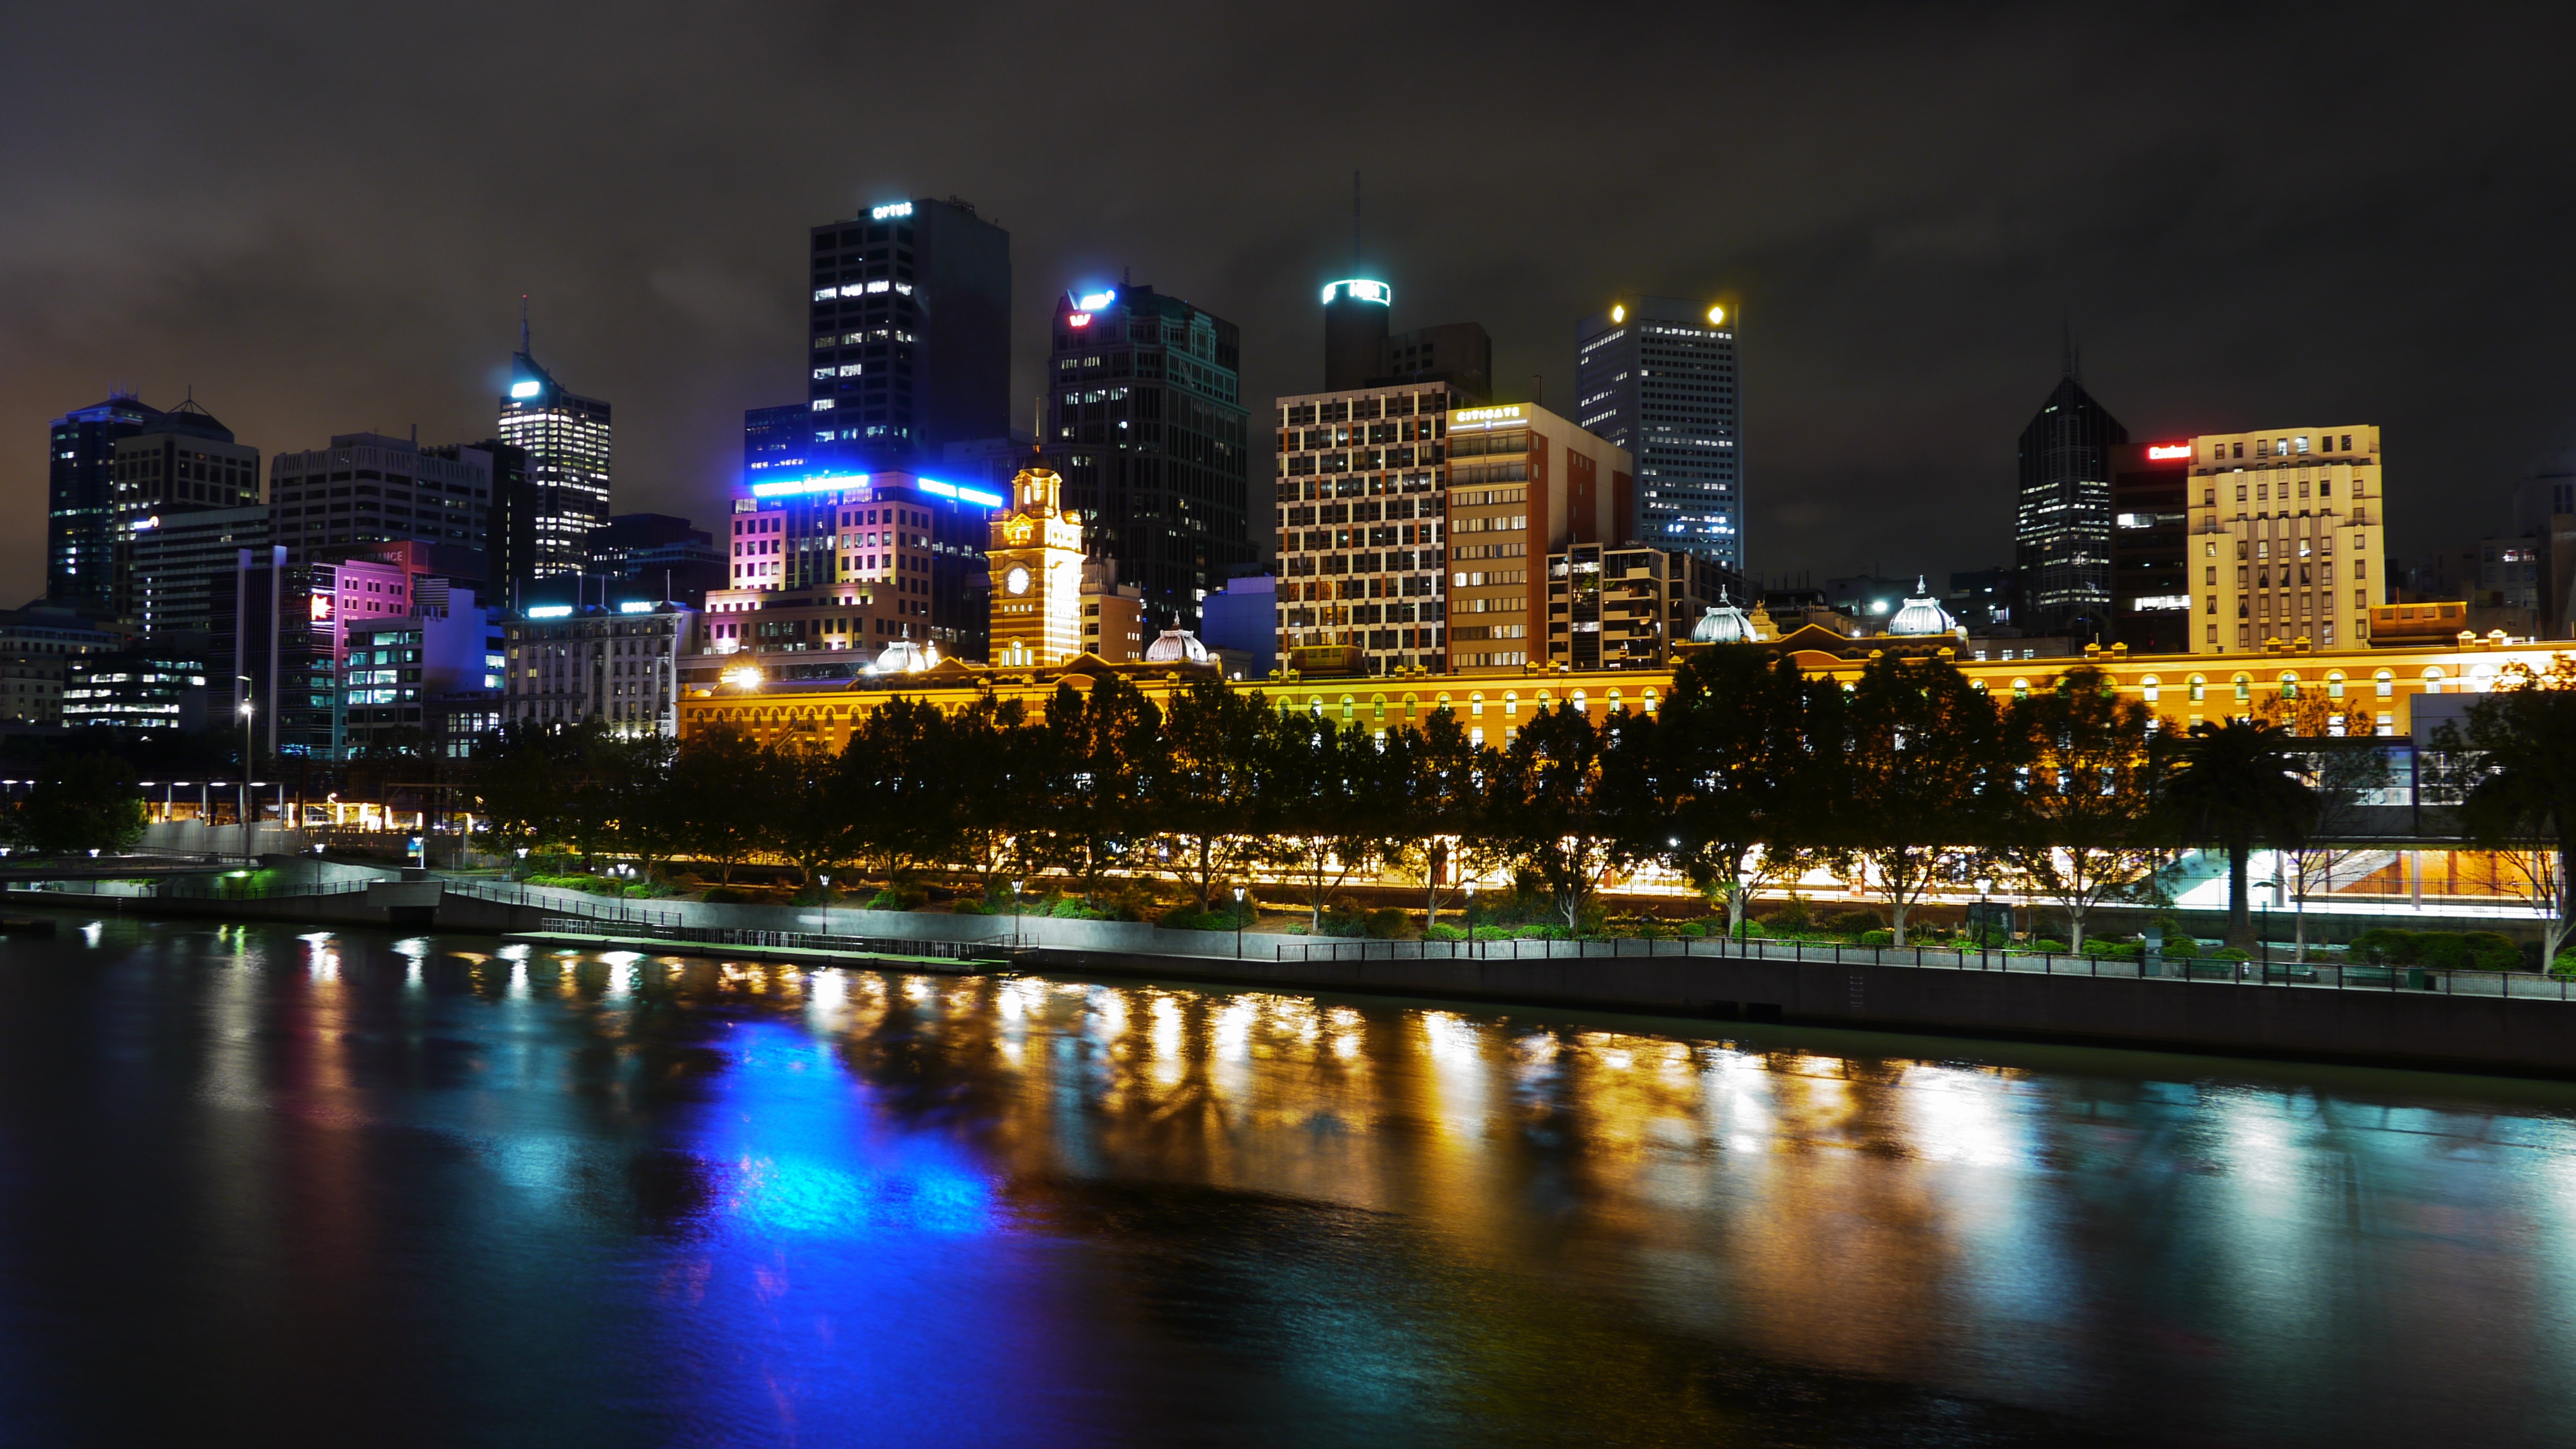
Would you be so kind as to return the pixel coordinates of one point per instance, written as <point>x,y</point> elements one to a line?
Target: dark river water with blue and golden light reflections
<point>362,1190</point>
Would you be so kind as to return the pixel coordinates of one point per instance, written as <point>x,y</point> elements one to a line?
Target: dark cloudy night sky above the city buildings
<point>323,218</point>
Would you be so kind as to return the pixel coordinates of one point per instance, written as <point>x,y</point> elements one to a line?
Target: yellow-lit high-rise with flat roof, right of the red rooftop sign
<point>2286,538</point>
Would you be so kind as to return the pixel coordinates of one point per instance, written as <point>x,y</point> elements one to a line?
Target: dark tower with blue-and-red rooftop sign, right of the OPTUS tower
<point>1145,419</point>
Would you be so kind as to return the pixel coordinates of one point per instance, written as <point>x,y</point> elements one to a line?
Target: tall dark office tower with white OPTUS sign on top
<point>911,342</point>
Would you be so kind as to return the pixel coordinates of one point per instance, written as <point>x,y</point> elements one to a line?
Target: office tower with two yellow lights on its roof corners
<point>1658,375</point>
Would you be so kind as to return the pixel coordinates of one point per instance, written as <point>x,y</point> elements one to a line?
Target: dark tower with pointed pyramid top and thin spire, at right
<point>2062,530</point>
